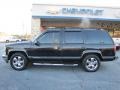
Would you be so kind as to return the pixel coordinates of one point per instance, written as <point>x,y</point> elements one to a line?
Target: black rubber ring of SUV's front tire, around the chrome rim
<point>25,61</point>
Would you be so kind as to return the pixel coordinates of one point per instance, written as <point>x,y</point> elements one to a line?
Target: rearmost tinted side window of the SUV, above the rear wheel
<point>98,37</point>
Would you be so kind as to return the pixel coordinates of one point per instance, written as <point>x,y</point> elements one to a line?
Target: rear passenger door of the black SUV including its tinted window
<point>73,44</point>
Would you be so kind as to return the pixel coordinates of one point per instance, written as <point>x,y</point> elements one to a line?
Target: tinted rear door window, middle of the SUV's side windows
<point>73,37</point>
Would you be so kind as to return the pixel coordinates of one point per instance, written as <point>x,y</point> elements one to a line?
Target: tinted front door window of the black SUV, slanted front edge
<point>50,37</point>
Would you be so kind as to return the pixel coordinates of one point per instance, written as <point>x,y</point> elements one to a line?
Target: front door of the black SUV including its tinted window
<point>49,44</point>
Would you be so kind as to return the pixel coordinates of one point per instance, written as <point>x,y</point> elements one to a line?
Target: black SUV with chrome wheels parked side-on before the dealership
<point>87,47</point>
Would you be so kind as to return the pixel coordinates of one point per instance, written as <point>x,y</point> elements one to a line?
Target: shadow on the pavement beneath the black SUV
<point>62,68</point>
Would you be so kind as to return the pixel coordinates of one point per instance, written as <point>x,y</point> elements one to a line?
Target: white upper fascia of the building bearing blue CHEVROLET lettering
<point>67,11</point>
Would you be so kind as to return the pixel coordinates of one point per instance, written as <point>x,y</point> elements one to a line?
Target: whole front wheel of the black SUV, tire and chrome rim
<point>18,61</point>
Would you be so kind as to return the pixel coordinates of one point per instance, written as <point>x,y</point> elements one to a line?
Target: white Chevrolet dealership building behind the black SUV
<point>46,16</point>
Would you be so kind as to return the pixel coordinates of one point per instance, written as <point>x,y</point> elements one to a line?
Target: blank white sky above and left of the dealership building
<point>15,15</point>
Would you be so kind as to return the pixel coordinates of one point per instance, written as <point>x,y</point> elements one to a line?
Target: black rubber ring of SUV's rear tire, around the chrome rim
<point>85,59</point>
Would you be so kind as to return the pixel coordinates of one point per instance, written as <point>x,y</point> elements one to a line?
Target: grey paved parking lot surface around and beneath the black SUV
<point>48,77</point>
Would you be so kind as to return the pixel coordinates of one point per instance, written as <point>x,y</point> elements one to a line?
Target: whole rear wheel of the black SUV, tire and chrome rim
<point>91,63</point>
